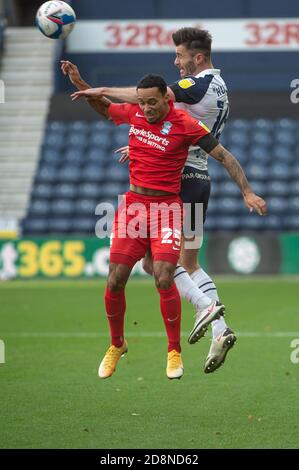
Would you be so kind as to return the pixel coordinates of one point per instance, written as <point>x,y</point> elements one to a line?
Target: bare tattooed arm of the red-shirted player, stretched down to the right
<point>234,169</point>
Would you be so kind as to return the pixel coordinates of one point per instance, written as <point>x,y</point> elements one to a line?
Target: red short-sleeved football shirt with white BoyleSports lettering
<point>158,151</point>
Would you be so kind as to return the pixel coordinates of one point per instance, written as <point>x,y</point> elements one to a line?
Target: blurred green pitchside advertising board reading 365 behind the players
<point>76,258</point>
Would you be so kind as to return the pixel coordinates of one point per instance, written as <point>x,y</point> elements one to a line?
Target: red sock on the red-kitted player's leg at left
<point>115,307</point>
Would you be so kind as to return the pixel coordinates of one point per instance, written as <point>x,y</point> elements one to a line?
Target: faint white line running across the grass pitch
<point>142,334</point>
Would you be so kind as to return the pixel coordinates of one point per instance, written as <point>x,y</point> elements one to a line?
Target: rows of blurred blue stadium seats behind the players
<point>78,170</point>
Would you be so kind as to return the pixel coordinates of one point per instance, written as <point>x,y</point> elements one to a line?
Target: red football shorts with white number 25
<point>143,222</point>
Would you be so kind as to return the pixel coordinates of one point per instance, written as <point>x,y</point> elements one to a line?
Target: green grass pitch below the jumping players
<point>55,334</point>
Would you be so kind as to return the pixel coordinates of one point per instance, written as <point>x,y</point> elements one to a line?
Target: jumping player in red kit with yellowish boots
<point>159,138</point>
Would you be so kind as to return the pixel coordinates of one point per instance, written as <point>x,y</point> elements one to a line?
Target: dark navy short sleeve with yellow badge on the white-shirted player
<point>191,90</point>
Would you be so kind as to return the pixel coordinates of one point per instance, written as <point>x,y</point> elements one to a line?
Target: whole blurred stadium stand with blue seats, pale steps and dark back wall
<point>66,163</point>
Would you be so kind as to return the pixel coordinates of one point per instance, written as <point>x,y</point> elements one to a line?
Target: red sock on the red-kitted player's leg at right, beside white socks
<point>170,303</point>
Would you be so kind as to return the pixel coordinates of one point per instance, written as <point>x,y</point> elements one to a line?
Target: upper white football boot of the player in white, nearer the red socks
<point>203,318</point>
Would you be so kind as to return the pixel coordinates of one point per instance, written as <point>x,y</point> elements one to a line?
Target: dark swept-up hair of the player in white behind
<point>194,39</point>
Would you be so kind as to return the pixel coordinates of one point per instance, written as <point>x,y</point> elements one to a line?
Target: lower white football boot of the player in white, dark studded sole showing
<point>219,349</point>
